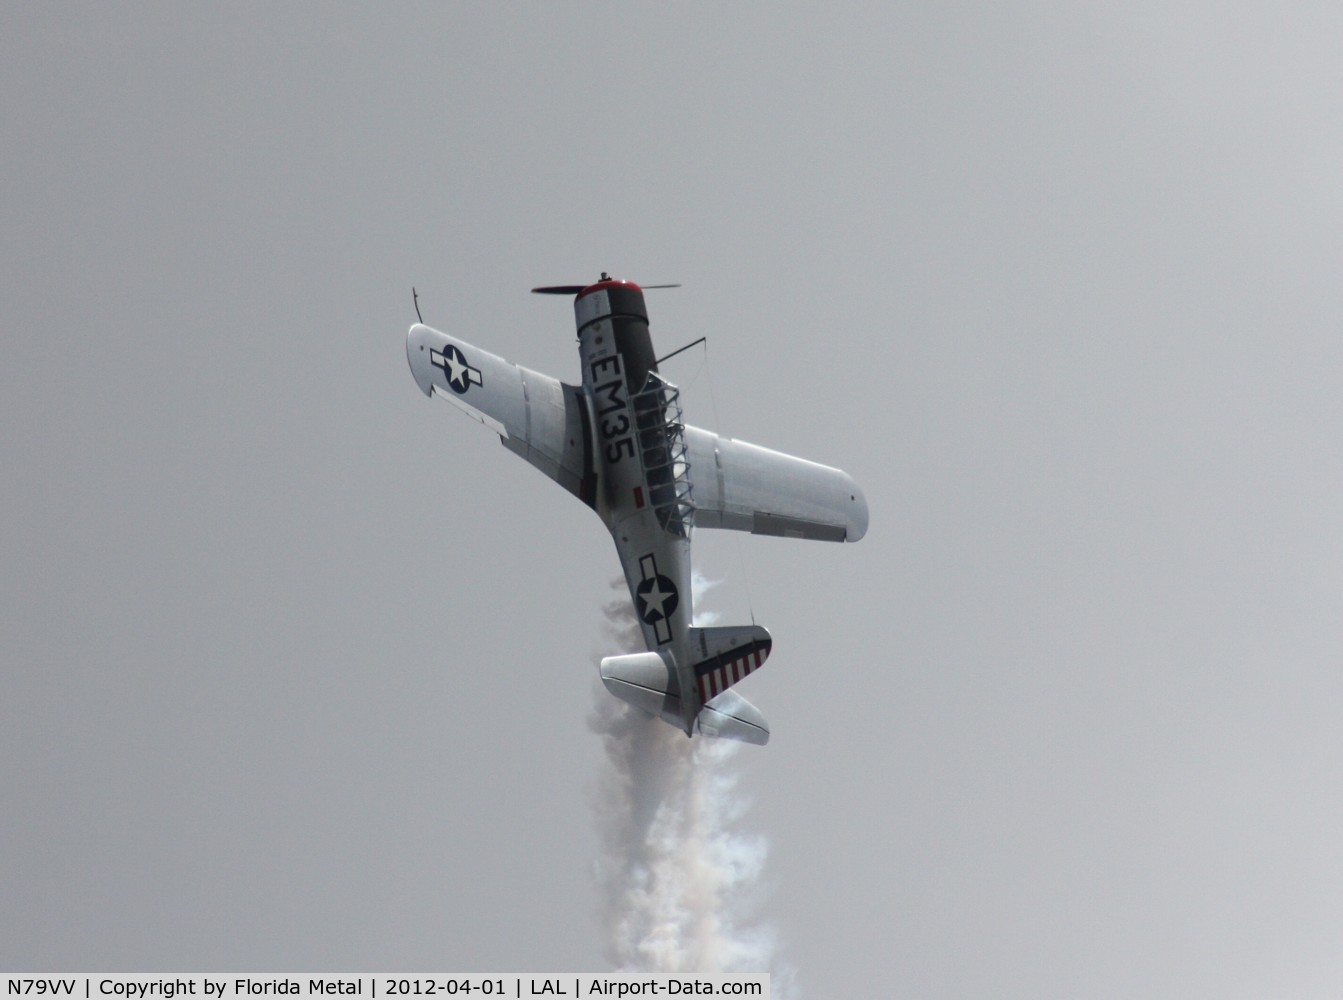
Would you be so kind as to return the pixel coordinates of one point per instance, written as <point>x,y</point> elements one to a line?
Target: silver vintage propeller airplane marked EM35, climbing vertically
<point>618,444</point>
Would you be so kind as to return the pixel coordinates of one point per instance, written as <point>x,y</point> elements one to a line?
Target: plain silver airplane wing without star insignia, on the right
<point>753,489</point>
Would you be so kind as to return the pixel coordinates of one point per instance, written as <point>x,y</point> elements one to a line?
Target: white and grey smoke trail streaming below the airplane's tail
<point>679,883</point>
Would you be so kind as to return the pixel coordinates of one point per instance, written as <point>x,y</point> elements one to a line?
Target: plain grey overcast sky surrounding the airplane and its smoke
<point>297,664</point>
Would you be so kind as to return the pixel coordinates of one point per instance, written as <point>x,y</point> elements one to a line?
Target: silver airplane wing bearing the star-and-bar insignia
<point>537,417</point>
